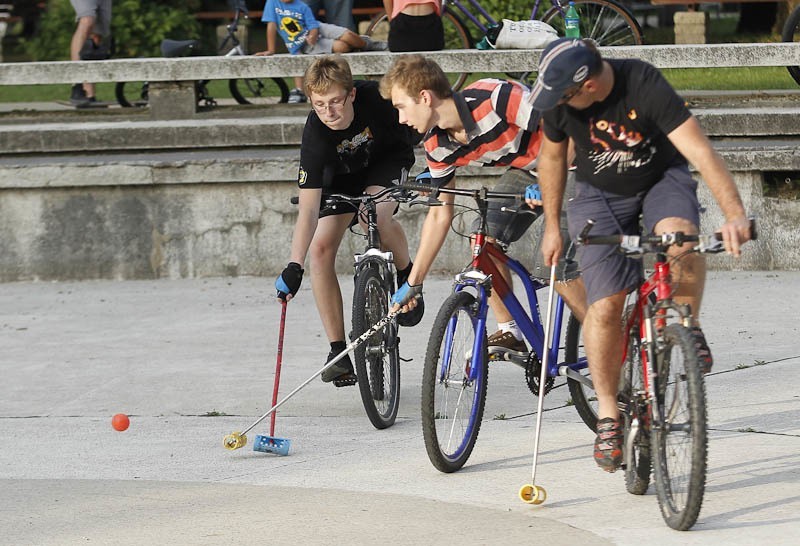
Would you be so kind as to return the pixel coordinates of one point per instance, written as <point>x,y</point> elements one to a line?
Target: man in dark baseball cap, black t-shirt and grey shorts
<point>634,137</point>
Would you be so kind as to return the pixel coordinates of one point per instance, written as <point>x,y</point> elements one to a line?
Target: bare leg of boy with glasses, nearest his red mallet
<point>324,283</point>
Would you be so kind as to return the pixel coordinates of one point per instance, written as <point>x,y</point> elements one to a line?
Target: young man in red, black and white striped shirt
<point>490,123</point>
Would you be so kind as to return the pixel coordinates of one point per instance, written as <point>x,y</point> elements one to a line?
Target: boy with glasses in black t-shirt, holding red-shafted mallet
<point>352,143</point>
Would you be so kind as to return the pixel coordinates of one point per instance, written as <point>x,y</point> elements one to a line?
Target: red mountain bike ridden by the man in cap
<point>662,390</point>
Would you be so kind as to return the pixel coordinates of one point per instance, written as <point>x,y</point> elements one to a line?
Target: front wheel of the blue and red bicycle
<point>449,440</point>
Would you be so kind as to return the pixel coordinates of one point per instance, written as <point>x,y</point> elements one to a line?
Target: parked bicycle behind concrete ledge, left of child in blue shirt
<point>245,90</point>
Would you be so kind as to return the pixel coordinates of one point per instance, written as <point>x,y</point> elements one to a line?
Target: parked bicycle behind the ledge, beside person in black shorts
<point>466,22</point>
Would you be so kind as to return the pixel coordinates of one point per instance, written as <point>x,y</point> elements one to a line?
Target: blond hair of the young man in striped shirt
<point>413,74</point>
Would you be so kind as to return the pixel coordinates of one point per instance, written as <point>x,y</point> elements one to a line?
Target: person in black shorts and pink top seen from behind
<point>415,25</point>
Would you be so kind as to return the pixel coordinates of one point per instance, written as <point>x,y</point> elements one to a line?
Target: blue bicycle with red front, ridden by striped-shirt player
<point>456,361</point>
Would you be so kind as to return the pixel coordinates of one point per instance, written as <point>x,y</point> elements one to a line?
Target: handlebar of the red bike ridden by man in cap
<point>635,244</point>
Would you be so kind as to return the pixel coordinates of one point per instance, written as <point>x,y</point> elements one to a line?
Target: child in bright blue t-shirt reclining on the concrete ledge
<point>303,34</point>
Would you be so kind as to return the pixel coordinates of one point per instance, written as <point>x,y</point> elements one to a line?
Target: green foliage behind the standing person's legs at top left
<point>138,26</point>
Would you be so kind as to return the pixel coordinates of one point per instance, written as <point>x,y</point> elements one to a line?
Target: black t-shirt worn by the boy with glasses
<point>342,161</point>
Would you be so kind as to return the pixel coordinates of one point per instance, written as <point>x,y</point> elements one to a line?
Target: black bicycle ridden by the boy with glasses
<point>377,361</point>
